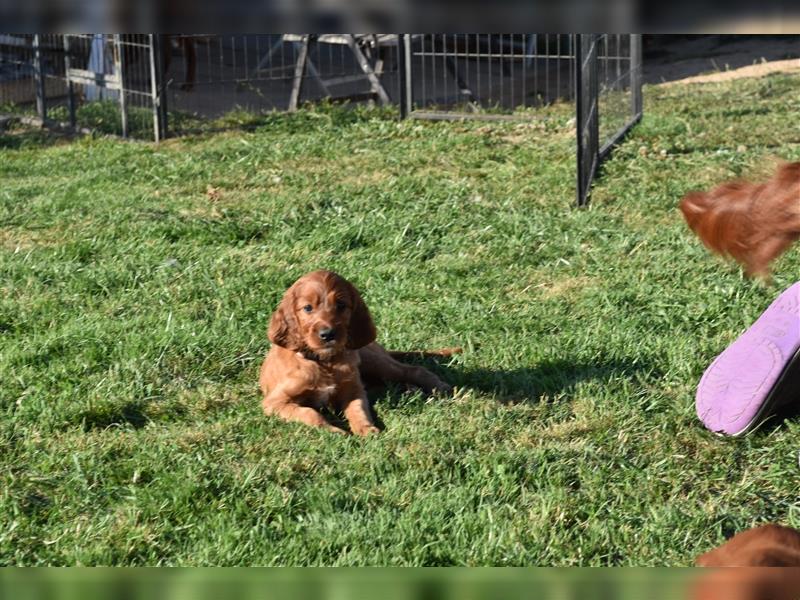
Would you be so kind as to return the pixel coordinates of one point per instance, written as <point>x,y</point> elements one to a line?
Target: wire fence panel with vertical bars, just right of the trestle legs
<point>487,74</point>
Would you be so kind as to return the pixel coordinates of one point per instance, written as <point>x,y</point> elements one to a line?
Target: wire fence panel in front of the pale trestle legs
<point>207,76</point>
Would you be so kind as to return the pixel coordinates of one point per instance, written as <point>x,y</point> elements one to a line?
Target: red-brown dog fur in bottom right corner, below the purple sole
<point>759,550</point>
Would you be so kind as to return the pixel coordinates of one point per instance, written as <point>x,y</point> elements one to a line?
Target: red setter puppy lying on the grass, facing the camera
<point>323,343</point>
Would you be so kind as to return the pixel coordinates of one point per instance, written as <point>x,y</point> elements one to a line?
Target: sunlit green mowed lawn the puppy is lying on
<point>138,280</point>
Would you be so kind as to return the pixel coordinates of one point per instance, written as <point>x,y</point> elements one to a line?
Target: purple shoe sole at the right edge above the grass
<point>757,373</point>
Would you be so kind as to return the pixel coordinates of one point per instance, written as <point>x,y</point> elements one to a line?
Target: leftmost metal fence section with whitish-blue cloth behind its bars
<point>104,82</point>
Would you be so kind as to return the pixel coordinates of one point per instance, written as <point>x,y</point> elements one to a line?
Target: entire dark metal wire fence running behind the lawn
<point>151,86</point>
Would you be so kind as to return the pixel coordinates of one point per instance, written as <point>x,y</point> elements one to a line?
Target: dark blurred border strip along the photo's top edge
<point>320,16</point>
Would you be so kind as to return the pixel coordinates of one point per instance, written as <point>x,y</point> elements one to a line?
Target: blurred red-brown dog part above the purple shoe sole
<point>752,223</point>
